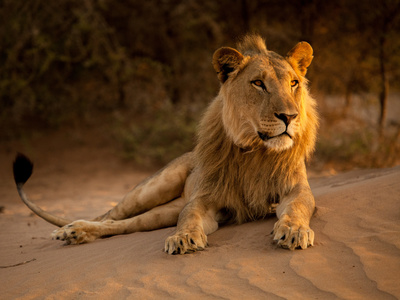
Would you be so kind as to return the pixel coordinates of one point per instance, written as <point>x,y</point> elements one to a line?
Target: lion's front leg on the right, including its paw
<point>292,230</point>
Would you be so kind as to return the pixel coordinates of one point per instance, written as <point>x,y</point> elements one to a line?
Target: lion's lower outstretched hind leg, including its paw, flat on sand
<point>81,231</point>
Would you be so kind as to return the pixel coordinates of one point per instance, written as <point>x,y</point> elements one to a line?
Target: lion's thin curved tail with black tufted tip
<point>22,168</point>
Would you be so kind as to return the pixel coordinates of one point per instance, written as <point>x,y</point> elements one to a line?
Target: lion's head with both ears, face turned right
<point>265,96</point>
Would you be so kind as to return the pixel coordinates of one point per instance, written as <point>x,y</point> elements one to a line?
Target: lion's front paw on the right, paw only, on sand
<point>291,235</point>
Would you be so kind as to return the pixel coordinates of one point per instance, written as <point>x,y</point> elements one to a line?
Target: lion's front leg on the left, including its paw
<point>194,224</point>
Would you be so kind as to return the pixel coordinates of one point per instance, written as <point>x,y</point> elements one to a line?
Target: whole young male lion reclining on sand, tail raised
<point>249,161</point>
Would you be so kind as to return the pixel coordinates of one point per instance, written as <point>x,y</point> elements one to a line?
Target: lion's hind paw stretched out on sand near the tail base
<point>77,232</point>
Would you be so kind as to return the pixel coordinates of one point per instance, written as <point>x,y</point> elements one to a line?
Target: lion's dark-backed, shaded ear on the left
<point>226,60</point>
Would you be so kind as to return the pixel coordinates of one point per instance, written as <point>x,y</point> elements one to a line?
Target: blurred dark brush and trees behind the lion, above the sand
<point>138,75</point>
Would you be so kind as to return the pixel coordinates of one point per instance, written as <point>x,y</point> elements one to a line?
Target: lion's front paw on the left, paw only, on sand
<point>182,243</point>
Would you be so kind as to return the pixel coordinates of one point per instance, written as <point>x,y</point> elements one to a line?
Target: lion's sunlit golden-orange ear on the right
<point>300,57</point>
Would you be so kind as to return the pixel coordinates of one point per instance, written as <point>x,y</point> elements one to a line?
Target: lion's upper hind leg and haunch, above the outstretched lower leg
<point>165,185</point>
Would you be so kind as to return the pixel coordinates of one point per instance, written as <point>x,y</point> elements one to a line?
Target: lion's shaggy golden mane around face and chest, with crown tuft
<point>260,172</point>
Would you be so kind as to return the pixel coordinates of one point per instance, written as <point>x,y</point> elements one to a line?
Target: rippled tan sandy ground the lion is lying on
<point>356,253</point>
